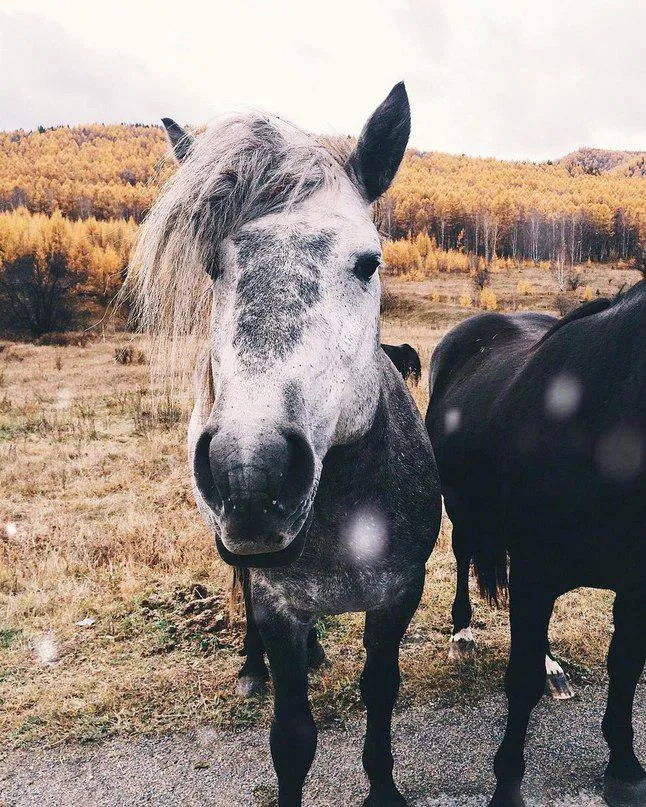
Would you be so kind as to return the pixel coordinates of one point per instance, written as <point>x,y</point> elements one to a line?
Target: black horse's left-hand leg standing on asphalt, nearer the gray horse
<point>530,611</point>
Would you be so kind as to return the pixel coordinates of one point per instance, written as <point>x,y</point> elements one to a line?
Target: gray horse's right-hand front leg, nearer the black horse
<point>379,687</point>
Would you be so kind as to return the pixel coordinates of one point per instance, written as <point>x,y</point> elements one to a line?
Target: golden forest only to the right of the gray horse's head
<point>568,212</point>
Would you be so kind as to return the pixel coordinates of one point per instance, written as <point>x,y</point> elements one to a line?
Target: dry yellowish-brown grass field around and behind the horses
<point>114,611</point>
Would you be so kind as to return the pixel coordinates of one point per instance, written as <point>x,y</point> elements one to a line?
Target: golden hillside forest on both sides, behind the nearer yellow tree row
<point>591,205</point>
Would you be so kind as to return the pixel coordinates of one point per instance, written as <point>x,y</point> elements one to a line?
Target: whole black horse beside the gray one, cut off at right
<point>539,430</point>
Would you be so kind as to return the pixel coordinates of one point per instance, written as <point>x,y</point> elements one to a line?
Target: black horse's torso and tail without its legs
<point>539,431</point>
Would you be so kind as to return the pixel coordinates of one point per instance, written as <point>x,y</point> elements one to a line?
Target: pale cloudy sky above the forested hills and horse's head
<point>504,78</point>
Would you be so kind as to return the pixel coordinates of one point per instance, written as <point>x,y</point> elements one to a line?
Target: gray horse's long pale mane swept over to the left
<point>238,170</point>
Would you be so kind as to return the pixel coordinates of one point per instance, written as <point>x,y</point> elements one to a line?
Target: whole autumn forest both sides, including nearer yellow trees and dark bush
<point>71,199</point>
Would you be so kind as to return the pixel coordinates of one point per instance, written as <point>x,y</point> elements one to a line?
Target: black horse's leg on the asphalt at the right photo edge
<point>625,781</point>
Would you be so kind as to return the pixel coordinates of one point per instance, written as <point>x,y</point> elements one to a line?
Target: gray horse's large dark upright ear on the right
<point>374,162</point>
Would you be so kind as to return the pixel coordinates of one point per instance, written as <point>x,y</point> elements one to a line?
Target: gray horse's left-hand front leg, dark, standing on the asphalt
<point>293,733</point>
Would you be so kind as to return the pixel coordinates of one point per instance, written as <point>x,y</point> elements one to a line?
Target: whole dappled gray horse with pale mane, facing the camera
<point>310,462</point>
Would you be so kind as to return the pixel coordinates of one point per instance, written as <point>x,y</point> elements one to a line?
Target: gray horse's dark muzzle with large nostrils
<point>260,491</point>
